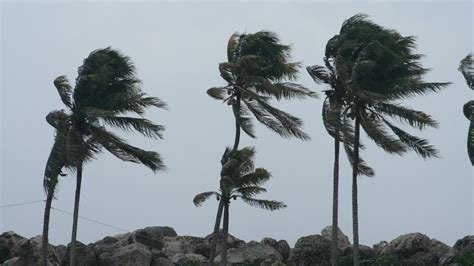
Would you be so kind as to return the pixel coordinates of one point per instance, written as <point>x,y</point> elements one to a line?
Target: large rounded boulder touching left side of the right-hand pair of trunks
<point>311,250</point>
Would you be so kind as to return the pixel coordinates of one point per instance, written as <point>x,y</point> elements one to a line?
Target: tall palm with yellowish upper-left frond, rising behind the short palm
<point>258,69</point>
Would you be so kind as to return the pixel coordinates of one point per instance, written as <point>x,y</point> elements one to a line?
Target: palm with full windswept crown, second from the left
<point>106,89</point>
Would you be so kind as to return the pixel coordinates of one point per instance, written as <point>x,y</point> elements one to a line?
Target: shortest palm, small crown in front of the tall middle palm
<point>239,179</point>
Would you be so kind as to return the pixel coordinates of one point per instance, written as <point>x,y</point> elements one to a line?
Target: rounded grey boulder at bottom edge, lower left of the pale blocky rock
<point>133,254</point>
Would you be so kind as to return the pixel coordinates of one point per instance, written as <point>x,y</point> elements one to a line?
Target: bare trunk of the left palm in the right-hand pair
<point>335,202</point>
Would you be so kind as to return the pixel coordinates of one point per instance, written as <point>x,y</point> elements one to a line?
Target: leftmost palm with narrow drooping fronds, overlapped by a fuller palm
<point>57,160</point>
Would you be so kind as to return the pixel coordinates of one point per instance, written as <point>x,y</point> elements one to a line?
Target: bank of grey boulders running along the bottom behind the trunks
<point>160,245</point>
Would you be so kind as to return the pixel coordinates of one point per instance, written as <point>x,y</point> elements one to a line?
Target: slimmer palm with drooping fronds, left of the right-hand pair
<point>341,130</point>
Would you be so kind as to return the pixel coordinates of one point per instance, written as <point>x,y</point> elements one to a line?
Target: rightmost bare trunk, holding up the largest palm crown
<point>355,217</point>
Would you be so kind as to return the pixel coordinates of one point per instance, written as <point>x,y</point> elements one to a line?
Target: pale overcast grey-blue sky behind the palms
<point>176,48</point>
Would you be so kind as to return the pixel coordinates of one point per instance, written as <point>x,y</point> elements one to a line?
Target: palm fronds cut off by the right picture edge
<point>467,69</point>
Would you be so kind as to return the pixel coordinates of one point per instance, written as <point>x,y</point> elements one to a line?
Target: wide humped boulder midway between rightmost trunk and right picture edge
<point>408,245</point>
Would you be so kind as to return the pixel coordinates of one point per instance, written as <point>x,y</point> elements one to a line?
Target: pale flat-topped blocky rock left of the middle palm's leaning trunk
<point>185,245</point>
